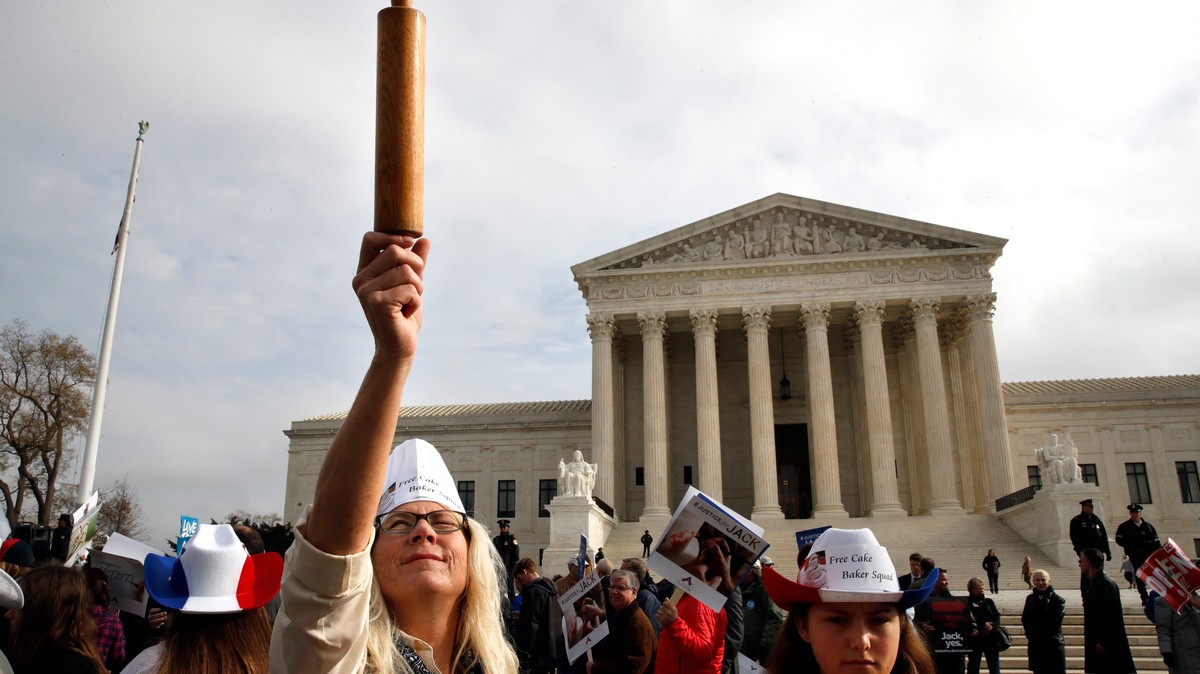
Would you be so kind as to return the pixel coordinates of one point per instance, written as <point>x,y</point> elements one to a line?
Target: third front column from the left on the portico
<point>709,422</point>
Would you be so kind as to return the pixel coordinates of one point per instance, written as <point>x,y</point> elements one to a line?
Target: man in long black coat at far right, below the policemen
<point>1106,642</point>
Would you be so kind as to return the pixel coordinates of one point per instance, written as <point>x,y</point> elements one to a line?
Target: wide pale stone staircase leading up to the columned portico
<point>958,543</point>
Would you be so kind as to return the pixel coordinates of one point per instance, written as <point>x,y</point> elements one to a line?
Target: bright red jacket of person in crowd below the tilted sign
<point>693,639</point>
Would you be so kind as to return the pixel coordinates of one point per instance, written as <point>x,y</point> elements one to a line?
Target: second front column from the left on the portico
<point>655,414</point>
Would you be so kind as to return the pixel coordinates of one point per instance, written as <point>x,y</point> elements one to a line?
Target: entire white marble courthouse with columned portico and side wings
<point>800,359</point>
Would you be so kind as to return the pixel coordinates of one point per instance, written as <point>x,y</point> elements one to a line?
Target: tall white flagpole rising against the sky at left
<point>88,473</point>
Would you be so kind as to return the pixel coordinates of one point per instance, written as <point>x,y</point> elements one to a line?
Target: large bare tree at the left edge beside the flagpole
<point>45,400</point>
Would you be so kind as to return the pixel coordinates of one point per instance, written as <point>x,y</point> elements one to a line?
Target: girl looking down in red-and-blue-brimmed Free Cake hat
<point>847,612</point>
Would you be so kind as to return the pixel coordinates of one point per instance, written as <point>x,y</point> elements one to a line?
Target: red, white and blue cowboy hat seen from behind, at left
<point>214,575</point>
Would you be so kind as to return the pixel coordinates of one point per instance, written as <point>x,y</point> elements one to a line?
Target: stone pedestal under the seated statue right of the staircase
<point>1046,520</point>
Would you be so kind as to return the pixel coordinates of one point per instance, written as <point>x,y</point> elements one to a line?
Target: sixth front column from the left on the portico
<point>879,411</point>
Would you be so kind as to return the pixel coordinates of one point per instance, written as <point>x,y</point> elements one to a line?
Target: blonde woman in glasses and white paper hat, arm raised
<point>406,582</point>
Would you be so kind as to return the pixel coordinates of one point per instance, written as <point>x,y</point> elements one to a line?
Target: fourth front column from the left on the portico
<point>757,322</point>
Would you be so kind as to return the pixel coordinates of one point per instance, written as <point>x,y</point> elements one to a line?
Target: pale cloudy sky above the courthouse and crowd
<point>557,133</point>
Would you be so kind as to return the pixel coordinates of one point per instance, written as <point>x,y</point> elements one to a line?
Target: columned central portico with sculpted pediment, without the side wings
<point>886,322</point>
